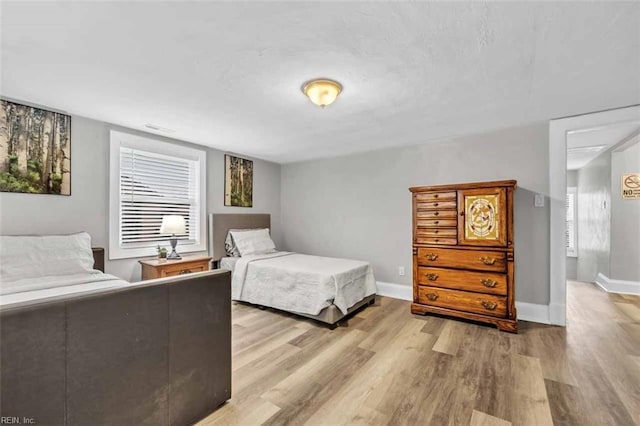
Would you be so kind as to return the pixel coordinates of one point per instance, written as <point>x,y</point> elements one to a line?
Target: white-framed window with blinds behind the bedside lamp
<point>148,180</point>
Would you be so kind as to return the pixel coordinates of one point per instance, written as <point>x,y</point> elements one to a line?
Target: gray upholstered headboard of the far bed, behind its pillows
<point>219,225</point>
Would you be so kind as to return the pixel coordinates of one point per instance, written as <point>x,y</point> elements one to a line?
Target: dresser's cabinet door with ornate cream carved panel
<point>483,220</point>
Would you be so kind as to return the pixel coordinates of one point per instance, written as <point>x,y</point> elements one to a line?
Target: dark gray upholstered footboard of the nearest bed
<point>158,354</point>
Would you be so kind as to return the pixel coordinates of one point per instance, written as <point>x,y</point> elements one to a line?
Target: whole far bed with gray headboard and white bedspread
<point>322,288</point>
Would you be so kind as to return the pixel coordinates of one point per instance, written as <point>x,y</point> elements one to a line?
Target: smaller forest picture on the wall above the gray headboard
<point>238,181</point>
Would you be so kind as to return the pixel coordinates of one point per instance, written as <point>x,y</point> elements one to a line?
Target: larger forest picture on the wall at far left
<point>35,150</point>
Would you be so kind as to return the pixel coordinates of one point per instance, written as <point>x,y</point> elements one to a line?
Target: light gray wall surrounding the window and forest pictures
<point>87,208</point>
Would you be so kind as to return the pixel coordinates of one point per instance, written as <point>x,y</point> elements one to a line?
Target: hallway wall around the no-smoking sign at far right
<point>625,219</point>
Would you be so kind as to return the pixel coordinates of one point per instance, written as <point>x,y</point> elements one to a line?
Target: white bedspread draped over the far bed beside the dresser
<point>301,283</point>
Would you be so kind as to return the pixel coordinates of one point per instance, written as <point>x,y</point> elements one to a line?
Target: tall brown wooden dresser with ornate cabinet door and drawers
<point>463,262</point>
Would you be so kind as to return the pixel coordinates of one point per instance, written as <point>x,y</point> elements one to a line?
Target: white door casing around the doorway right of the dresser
<point>557,193</point>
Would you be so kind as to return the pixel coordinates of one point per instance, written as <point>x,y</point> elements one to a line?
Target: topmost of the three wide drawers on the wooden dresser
<point>481,260</point>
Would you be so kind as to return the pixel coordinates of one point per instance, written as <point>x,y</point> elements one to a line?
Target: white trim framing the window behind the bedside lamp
<point>118,139</point>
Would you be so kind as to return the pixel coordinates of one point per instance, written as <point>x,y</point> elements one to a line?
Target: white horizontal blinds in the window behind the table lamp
<point>152,186</point>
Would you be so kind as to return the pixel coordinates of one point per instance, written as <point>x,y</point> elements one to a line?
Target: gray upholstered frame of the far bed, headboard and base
<point>219,226</point>
